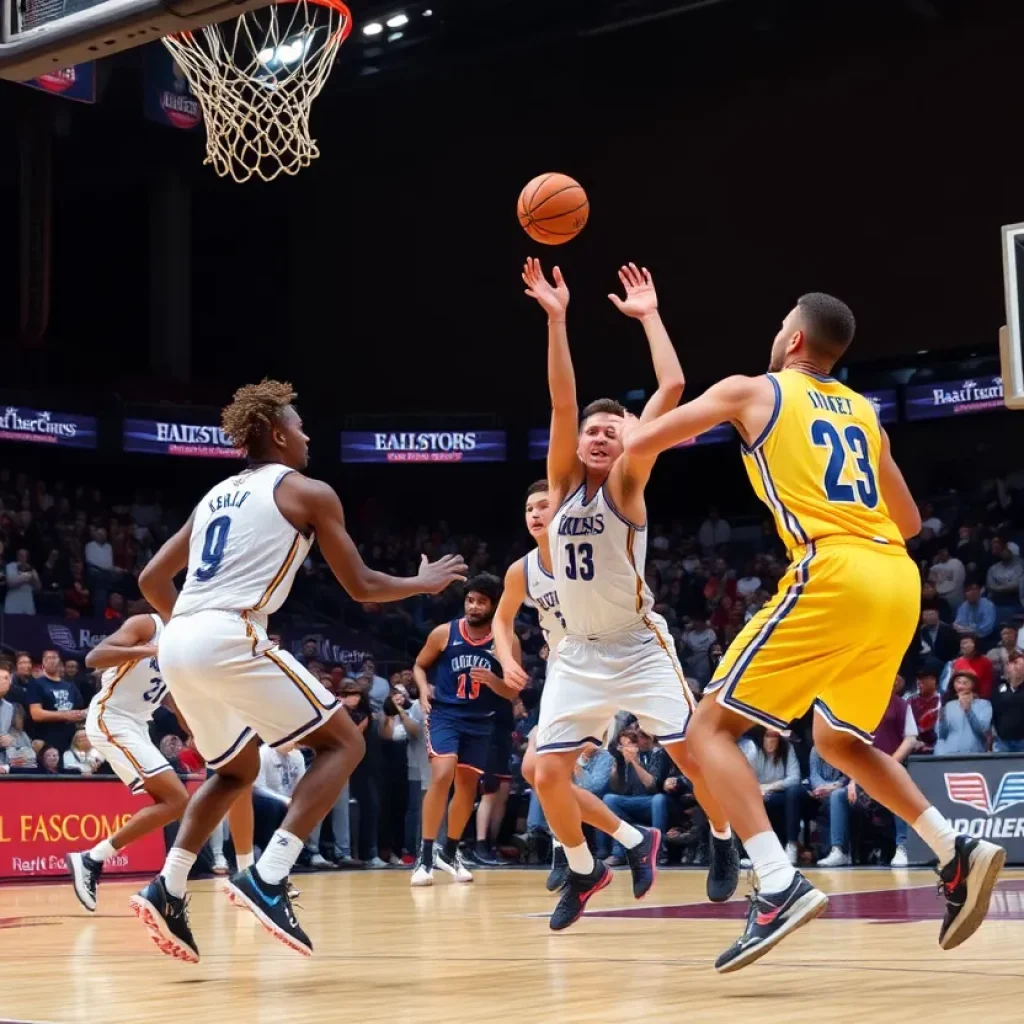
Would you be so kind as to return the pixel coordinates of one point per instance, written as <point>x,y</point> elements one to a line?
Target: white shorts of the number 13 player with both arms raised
<point>592,680</point>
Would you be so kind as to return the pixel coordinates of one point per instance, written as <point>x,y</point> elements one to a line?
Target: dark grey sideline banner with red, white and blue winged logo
<point>980,795</point>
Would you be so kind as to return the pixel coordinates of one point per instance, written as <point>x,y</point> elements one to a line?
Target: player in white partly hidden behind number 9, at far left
<point>118,727</point>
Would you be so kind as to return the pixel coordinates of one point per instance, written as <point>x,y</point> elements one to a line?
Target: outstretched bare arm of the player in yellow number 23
<point>746,402</point>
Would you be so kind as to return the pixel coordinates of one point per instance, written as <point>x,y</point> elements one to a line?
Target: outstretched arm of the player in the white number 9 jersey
<point>322,513</point>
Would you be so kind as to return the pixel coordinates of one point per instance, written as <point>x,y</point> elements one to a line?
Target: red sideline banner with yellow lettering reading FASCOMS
<point>42,820</point>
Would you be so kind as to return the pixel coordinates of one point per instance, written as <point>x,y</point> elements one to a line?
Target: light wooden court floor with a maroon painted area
<point>484,953</point>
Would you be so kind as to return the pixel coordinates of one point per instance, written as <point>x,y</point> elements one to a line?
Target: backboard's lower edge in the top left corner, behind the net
<point>42,36</point>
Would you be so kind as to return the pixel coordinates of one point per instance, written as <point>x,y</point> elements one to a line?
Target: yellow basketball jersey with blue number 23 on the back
<point>817,463</point>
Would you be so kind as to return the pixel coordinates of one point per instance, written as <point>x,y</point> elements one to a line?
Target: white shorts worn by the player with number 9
<point>231,682</point>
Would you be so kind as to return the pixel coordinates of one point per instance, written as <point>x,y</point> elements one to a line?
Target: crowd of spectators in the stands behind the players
<point>70,553</point>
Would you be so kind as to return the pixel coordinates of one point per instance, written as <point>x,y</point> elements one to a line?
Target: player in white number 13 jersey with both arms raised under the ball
<point>617,655</point>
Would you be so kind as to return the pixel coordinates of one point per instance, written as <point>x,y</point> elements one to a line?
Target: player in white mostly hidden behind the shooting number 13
<point>531,581</point>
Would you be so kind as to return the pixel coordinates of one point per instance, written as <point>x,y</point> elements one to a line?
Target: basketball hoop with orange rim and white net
<point>257,78</point>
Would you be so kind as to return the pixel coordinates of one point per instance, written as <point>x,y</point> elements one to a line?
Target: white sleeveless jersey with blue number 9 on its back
<point>243,553</point>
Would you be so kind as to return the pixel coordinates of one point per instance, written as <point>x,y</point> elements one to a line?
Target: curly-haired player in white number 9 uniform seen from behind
<point>235,687</point>
